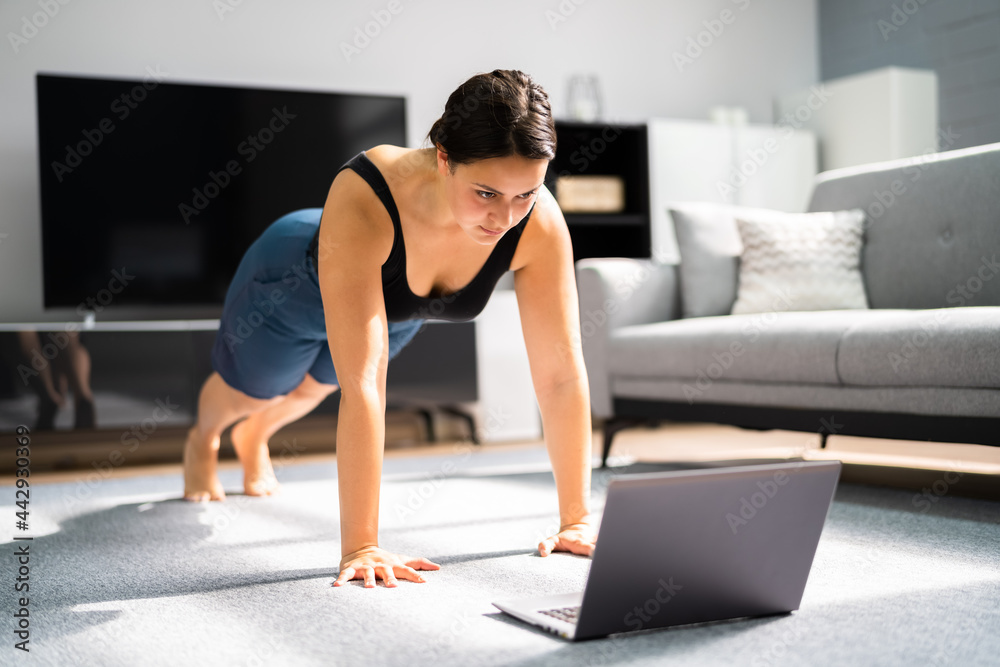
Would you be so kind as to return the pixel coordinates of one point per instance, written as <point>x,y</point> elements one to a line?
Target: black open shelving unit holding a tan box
<point>606,149</point>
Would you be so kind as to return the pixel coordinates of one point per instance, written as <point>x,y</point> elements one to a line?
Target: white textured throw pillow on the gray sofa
<point>801,261</point>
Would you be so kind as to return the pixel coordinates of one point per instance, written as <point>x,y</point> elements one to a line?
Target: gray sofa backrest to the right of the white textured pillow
<point>933,226</point>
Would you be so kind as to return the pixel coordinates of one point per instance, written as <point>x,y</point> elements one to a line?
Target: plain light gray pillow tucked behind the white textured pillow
<point>710,248</point>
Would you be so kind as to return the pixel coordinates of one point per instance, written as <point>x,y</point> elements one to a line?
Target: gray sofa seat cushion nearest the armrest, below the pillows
<point>796,347</point>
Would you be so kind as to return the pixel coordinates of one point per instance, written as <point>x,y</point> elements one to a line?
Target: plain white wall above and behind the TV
<point>428,48</point>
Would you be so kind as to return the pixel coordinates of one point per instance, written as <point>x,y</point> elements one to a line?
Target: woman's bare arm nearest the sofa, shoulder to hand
<point>548,304</point>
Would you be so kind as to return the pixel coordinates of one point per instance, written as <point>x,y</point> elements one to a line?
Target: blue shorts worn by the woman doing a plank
<point>273,330</point>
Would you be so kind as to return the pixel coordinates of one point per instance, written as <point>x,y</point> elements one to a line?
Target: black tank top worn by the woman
<point>401,303</point>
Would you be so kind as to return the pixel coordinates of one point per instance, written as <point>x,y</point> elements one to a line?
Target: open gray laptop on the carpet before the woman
<point>692,546</point>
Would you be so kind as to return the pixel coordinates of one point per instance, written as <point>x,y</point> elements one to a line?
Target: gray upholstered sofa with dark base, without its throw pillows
<point>921,363</point>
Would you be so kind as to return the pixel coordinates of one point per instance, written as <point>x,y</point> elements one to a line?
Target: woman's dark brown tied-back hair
<point>498,114</point>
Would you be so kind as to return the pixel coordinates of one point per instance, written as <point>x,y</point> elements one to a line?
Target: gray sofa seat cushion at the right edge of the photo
<point>945,347</point>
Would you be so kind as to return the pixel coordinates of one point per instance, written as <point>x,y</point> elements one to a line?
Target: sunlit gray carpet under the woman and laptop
<point>125,573</point>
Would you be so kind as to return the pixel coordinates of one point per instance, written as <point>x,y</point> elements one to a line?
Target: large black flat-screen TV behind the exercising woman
<point>171,182</point>
